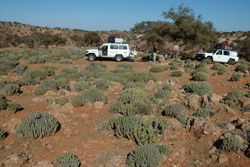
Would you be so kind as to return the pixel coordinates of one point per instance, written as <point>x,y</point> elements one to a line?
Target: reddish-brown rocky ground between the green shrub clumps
<point>84,132</point>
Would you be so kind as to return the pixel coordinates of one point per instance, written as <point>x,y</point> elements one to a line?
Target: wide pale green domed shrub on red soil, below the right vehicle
<point>199,88</point>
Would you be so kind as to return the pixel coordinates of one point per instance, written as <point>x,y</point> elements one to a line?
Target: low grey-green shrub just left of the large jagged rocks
<point>174,110</point>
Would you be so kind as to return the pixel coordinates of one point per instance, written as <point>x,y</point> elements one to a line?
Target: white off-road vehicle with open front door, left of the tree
<point>116,51</point>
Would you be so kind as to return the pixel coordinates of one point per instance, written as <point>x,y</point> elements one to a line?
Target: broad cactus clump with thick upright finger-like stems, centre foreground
<point>137,129</point>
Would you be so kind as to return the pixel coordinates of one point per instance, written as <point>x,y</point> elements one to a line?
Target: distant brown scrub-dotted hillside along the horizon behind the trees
<point>12,34</point>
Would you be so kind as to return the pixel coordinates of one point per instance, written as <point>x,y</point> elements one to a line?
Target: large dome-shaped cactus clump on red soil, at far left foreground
<point>38,125</point>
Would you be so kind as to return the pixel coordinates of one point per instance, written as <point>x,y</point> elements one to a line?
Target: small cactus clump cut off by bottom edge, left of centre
<point>67,160</point>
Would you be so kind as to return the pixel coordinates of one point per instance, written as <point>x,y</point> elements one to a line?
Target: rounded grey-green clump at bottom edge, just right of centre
<point>146,155</point>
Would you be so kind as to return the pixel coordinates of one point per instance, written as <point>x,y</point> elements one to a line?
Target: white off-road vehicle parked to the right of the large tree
<point>219,55</point>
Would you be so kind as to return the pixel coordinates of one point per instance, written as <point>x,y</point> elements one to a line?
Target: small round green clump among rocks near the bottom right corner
<point>231,143</point>
